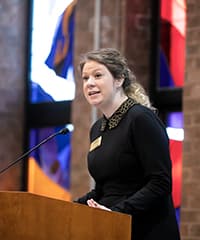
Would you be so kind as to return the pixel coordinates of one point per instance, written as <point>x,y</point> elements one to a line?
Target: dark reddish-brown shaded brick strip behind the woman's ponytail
<point>138,38</point>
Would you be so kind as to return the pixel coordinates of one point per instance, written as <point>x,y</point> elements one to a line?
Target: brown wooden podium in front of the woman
<point>27,216</point>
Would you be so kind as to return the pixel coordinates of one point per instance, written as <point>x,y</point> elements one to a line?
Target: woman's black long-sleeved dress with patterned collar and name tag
<point>130,163</point>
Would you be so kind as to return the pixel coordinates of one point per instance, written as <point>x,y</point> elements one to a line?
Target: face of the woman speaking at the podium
<point>99,86</point>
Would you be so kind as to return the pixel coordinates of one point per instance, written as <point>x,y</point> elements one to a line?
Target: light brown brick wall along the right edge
<point>190,211</point>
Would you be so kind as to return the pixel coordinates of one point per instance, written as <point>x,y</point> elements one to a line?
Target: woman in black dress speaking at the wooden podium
<point>129,152</point>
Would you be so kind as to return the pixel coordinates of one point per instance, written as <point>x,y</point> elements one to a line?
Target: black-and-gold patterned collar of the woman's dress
<point>117,116</point>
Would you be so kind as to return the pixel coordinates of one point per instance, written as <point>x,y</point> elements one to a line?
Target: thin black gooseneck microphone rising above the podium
<point>62,131</point>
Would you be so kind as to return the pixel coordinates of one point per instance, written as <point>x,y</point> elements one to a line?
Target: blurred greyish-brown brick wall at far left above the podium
<point>13,26</point>
